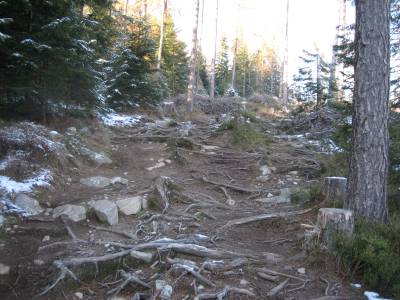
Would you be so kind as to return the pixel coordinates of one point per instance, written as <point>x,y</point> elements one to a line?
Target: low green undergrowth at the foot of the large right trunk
<point>374,255</point>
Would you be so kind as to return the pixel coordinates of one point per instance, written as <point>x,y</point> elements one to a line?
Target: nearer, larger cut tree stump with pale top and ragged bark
<point>333,221</point>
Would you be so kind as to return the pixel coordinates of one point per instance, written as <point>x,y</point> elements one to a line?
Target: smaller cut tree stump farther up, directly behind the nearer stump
<point>334,190</point>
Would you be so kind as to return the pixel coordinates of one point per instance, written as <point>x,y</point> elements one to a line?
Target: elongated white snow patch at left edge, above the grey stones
<point>42,178</point>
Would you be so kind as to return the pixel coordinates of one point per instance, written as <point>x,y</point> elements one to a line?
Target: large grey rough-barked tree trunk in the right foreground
<point>367,187</point>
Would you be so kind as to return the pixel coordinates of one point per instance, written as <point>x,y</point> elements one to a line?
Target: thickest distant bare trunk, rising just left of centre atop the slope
<point>192,63</point>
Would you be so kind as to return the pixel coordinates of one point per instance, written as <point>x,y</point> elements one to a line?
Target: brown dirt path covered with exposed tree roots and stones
<point>210,181</point>
